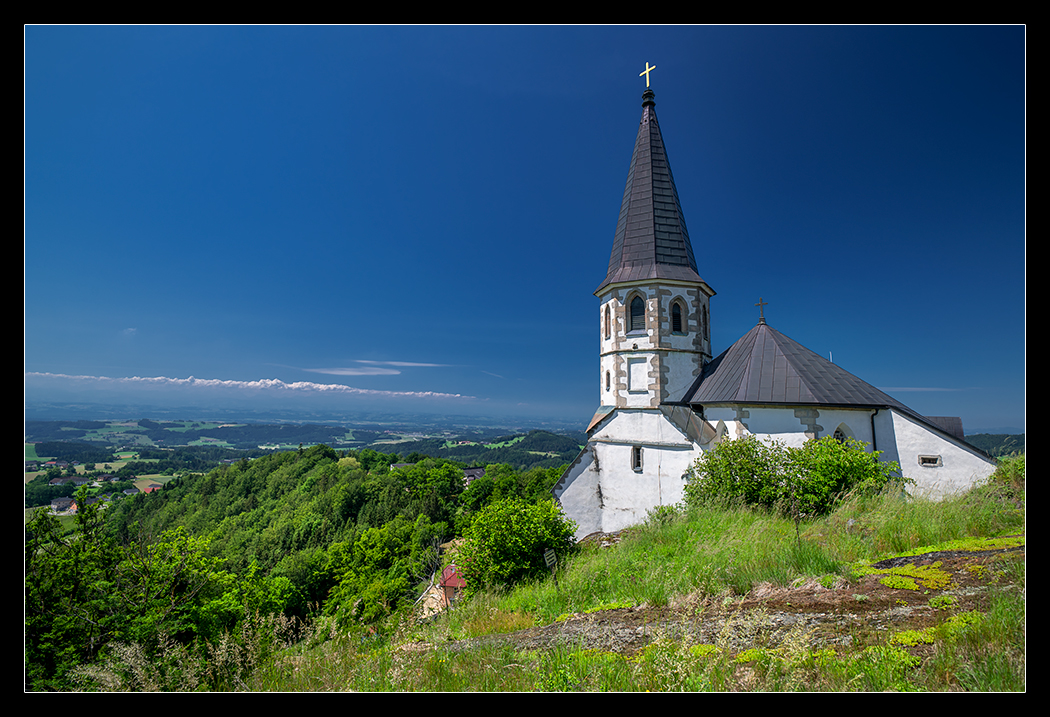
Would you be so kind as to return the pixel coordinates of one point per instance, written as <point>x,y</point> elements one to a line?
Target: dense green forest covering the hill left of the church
<point>291,536</point>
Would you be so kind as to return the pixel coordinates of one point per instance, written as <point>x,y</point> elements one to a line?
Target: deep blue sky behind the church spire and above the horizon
<point>415,219</point>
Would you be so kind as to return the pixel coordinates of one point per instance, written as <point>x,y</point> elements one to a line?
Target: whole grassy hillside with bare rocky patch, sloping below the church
<point>722,599</point>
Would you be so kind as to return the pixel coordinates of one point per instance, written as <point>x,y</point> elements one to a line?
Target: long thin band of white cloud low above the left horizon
<point>262,385</point>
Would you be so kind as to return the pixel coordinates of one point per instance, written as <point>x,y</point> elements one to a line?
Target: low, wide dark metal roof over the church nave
<point>766,367</point>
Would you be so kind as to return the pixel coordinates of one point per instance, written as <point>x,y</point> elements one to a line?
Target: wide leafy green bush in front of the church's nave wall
<point>810,480</point>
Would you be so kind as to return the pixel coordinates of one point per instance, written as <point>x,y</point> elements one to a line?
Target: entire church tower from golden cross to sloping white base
<point>655,340</point>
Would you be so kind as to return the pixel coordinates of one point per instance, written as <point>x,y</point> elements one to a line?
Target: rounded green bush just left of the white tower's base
<point>507,541</point>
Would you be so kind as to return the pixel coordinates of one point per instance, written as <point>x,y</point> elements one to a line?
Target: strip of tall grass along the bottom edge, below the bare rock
<point>985,658</point>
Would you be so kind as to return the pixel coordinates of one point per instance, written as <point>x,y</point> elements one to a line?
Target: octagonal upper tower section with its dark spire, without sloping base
<point>656,322</point>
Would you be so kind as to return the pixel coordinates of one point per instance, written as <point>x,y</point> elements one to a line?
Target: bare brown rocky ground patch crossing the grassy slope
<point>860,614</point>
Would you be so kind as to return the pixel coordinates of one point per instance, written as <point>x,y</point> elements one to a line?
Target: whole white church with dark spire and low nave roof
<point>665,399</point>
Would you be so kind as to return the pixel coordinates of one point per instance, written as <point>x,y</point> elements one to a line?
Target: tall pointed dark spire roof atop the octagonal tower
<point>652,241</point>
